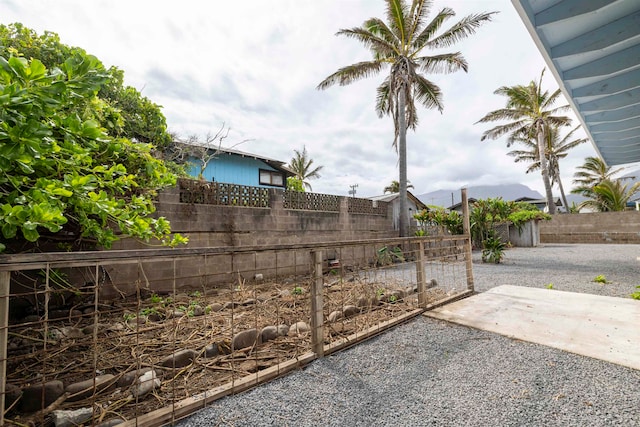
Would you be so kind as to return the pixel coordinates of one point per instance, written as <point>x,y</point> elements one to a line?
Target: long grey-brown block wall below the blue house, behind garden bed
<point>233,226</point>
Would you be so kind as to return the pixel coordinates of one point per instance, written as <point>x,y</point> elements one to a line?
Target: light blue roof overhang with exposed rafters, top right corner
<point>593,49</point>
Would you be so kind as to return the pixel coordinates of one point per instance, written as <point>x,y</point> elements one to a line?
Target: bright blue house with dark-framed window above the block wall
<point>238,167</point>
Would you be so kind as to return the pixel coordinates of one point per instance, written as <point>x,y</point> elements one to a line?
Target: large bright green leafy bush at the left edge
<point>66,180</point>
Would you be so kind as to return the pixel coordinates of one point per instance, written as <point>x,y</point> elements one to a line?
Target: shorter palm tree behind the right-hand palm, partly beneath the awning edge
<point>556,149</point>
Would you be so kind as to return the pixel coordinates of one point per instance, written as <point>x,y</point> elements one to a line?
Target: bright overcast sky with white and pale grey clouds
<point>254,65</point>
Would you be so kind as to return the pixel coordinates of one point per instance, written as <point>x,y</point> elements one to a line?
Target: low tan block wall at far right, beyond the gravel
<point>600,227</point>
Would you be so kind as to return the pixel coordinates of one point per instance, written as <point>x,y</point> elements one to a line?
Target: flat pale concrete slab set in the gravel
<point>601,327</point>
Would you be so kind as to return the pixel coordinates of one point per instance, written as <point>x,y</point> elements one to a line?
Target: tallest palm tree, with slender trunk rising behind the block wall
<point>398,43</point>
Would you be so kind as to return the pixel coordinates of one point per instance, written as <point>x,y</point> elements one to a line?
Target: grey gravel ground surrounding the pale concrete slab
<point>432,373</point>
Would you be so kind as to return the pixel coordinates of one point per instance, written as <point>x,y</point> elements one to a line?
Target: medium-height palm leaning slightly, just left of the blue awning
<point>531,114</point>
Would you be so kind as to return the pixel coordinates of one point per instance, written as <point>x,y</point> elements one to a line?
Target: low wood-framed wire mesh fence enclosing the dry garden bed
<point>155,355</point>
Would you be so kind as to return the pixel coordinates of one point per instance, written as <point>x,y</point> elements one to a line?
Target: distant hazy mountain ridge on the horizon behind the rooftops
<point>508,192</point>
